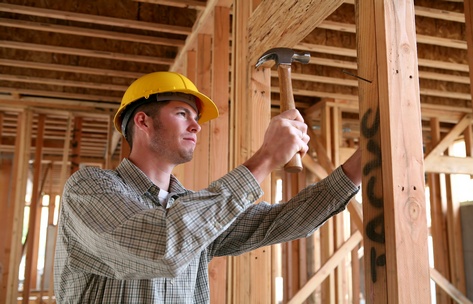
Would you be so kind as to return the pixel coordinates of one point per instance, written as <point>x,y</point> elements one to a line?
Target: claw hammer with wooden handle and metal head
<point>283,58</point>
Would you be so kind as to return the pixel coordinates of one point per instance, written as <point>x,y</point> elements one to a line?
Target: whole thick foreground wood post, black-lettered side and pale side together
<point>395,222</point>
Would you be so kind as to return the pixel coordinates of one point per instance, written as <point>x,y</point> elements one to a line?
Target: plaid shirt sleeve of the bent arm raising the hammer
<point>110,232</point>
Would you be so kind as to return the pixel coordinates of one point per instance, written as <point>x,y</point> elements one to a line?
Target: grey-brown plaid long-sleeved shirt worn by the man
<point>117,244</point>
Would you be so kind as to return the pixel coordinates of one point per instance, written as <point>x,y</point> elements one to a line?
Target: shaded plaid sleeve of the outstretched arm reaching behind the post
<point>264,224</point>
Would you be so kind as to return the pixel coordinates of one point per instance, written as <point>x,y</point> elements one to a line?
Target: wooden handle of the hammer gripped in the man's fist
<point>287,103</point>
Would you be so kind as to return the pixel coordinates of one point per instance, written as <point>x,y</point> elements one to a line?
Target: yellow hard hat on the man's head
<point>164,82</point>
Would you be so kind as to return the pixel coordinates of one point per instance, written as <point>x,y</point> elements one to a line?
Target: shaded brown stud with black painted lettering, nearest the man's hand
<point>370,142</point>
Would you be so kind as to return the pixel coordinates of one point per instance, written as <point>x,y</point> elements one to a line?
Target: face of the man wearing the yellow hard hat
<point>175,132</point>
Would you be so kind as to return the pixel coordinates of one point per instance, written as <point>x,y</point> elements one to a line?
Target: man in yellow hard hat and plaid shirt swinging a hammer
<point>136,235</point>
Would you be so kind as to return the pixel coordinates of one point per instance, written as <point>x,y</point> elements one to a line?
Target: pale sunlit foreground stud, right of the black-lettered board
<point>405,225</point>
